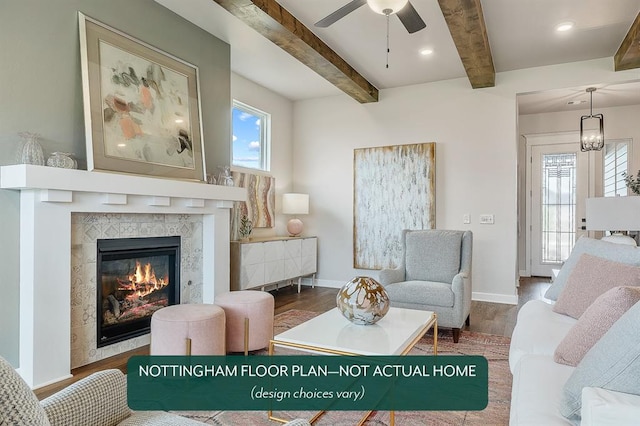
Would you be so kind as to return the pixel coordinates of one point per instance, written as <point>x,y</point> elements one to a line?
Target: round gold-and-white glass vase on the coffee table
<point>363,300</point>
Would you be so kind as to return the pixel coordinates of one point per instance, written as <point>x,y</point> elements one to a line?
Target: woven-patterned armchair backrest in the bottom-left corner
<point>18,404</point>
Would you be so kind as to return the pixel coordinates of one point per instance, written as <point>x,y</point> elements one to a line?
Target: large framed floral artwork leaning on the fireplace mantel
<point>141,106</point>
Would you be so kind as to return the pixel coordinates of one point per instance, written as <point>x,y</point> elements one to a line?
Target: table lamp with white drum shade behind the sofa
<point>616,215</point>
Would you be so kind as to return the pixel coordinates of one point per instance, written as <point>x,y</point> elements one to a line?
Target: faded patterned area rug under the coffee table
<point>494,348</point>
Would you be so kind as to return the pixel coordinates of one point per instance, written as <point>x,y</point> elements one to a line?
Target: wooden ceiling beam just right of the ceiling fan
<point>469,32</point>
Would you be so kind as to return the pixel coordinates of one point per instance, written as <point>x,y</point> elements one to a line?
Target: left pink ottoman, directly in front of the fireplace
<point>188,329</point>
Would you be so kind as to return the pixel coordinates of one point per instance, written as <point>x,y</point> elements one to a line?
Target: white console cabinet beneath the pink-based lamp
<point>258,262</point>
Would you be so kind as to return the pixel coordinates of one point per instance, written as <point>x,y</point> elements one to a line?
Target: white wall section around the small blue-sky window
<point>281,110</point>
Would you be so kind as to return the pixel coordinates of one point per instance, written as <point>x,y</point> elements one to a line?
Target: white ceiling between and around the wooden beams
<point>521,34</point>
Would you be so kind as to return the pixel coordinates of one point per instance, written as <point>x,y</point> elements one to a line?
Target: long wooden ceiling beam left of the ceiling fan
<point>275,23</point>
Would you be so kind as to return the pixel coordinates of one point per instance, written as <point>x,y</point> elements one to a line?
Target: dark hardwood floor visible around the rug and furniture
<point>491,318</point>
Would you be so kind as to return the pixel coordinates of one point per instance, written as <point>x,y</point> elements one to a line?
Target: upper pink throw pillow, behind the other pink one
<point>591,277</point>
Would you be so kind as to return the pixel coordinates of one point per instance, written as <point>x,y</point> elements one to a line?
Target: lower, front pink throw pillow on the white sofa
<point>594,323</point>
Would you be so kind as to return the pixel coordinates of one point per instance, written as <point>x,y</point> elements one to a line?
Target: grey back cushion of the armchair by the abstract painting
<point>443,260</point>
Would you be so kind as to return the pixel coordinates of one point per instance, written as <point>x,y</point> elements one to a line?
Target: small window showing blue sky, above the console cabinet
<point>251,136</point>
